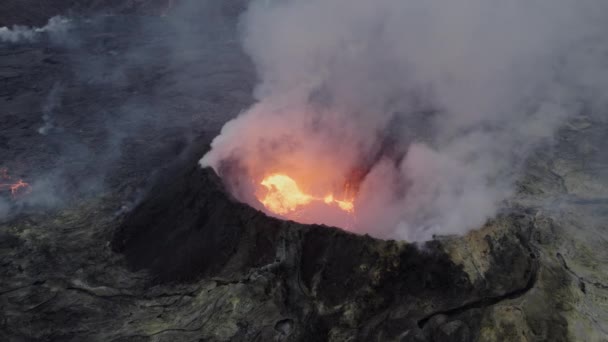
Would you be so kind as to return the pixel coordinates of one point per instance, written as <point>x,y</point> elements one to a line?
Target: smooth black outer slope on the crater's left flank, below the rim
<point>188,227</point>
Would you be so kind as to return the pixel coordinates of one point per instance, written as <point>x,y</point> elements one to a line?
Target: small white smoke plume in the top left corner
<point>56,29</point>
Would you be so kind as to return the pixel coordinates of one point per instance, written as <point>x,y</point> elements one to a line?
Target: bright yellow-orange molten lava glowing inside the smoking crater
<point>284,196</point>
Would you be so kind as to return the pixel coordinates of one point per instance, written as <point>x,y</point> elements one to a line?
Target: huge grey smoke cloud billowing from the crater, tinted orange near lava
<point>431,106</point>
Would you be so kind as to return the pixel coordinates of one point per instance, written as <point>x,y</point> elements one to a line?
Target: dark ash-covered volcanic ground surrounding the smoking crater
<point>125,238</point>
